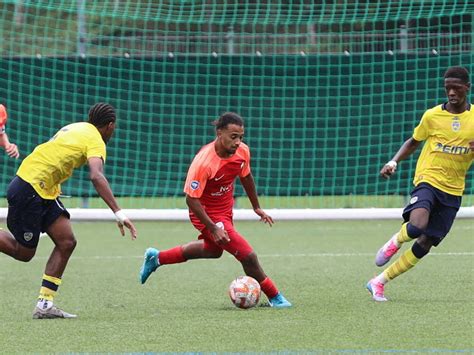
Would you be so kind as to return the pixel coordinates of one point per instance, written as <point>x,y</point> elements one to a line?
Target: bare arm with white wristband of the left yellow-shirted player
<point>96,167</point>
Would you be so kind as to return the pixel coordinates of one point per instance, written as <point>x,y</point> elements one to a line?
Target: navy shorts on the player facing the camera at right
<point>441,206</point>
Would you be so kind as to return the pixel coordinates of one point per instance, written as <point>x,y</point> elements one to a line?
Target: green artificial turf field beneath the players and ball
<point>321,267</point>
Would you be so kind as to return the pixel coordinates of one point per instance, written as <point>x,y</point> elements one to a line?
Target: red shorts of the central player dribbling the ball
<point>238,246</point>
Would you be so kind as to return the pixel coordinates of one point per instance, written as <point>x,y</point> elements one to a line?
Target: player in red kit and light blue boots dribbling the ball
<point>209,190</point>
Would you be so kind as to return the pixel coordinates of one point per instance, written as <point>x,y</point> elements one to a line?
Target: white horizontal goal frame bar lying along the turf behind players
<point>99,214</point>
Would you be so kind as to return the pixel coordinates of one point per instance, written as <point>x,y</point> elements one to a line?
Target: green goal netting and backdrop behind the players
<point>329,91</point>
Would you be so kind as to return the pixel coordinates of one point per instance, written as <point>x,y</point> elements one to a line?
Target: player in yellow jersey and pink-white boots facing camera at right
<point>447,154</point>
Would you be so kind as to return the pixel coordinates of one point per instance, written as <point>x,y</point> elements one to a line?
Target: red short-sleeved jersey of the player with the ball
<point>211,179</point>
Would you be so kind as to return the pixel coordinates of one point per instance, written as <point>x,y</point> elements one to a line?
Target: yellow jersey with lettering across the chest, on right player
<point>445,158</point>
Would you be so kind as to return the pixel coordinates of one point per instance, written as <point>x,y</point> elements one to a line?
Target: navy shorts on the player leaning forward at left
<point>29,214</point>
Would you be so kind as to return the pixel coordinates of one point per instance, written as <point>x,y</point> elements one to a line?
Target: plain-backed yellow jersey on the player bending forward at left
<point>53,162</point>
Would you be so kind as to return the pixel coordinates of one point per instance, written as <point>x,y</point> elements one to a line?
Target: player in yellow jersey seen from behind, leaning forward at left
<point>34,206</point>
